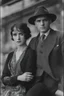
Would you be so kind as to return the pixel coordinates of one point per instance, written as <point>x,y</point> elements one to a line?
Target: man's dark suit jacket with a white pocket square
<point>51,54</point>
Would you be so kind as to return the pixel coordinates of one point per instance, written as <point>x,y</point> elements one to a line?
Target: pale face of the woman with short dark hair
<point>19,38</point>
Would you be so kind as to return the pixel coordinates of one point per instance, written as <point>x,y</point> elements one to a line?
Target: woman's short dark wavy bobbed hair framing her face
<point>22,28</point>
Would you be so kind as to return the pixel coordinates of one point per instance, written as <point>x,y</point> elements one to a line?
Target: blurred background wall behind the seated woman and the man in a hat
<point>18,11</point>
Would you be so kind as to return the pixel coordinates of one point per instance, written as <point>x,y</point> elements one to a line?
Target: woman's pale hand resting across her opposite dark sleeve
<point>27,76</point>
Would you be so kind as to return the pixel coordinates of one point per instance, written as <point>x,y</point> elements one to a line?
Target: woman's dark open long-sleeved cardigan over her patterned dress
<point>28,64</point>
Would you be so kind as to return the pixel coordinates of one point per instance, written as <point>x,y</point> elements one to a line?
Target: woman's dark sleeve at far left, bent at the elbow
<point>7,79</point>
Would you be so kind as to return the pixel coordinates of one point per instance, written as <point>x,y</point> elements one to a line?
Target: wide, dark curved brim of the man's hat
<point>32,19</point>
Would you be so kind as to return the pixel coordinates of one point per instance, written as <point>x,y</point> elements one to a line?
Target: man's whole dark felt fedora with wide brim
<point>41,11</point>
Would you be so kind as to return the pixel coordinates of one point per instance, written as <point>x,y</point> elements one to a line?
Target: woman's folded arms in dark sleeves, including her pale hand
<point>28,74</point>
